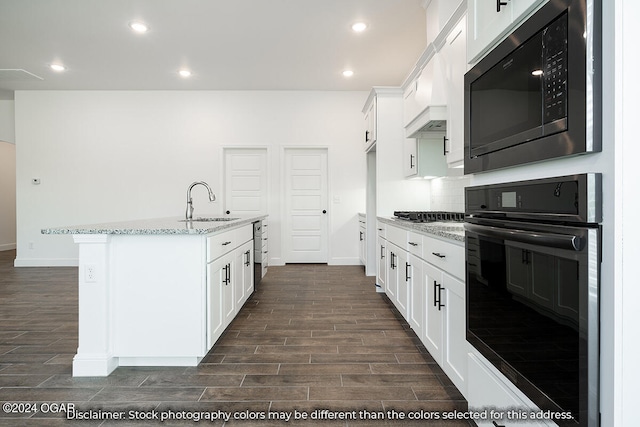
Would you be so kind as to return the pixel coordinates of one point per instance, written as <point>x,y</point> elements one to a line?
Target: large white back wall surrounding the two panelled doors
<point>105,156</point>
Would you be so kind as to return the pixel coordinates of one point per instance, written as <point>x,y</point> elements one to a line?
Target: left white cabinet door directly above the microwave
<point>486,24</point>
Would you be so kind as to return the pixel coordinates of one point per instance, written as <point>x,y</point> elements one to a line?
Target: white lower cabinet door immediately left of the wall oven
<point>454,346</point>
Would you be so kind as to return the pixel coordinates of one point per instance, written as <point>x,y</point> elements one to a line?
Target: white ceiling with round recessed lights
<point>227,45</point>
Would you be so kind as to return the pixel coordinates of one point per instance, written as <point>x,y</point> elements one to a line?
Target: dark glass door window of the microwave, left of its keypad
<point>507,100</point>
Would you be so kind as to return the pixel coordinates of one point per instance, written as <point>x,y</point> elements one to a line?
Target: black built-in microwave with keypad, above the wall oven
<point>534,96</point>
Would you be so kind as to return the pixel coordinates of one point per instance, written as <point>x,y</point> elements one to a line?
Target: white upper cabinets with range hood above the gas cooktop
<point>434,97</point>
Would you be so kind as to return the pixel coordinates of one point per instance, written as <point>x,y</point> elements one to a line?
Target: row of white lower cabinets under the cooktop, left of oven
<point>430,296</point>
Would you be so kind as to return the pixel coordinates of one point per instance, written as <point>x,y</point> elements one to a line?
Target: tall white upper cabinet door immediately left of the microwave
<point>454,54</point>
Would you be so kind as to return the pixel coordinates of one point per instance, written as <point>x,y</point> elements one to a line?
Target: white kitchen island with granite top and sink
<point>158,292</point>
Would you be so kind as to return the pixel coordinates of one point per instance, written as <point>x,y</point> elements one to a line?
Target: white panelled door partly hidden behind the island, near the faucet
<point>245,181</point>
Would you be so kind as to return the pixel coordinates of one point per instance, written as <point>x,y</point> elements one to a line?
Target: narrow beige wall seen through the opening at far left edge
<point>7,196</point>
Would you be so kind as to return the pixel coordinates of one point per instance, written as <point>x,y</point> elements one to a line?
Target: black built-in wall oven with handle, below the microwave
<point>532,285</point>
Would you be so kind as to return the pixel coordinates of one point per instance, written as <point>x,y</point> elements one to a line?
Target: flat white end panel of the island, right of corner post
<point>159,299</point>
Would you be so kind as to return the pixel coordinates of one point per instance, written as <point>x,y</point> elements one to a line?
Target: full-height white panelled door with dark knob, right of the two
<point>305,216</point>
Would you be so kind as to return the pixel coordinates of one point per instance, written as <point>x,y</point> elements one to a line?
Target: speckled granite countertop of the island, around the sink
<point>157,226</point>
